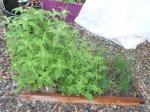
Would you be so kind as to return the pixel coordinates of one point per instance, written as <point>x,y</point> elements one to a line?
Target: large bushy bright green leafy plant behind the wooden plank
<point>46,52</point>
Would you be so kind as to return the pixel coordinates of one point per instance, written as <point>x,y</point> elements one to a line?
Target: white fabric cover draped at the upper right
<point>125,22</point>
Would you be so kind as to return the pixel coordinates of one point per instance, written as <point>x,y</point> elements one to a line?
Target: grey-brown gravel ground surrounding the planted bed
<point>9,101</point>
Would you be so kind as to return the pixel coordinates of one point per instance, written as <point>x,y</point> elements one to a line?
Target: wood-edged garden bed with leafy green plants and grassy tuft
<point>55,57</point>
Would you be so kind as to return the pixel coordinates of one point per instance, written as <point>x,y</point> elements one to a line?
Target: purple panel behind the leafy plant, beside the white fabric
<point>73,9</point>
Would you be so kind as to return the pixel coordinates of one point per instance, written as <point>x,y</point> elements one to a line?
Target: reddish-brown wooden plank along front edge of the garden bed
<point>104,100</point>
